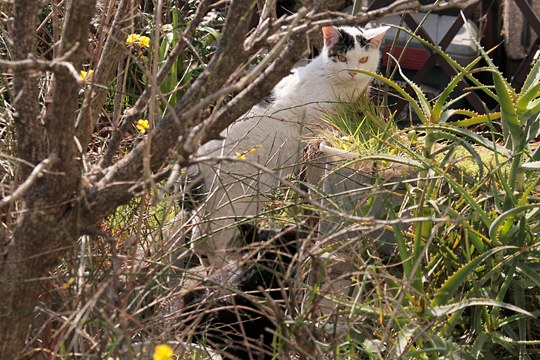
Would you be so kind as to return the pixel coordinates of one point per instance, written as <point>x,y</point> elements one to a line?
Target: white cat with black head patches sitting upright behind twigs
<point>271,135</point>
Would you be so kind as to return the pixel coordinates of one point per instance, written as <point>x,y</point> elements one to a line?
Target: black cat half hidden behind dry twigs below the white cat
<point>228,312</point>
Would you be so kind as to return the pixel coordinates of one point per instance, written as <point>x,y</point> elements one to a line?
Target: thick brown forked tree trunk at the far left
<point>48,225</point>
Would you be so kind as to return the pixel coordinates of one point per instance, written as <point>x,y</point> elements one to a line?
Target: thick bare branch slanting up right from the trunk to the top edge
<point>112,190</point>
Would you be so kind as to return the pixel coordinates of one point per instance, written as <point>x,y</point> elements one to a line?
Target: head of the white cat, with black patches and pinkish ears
<point>348,47</point>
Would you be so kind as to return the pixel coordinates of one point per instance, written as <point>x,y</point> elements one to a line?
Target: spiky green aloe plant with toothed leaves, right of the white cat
<point>470,257</point>
